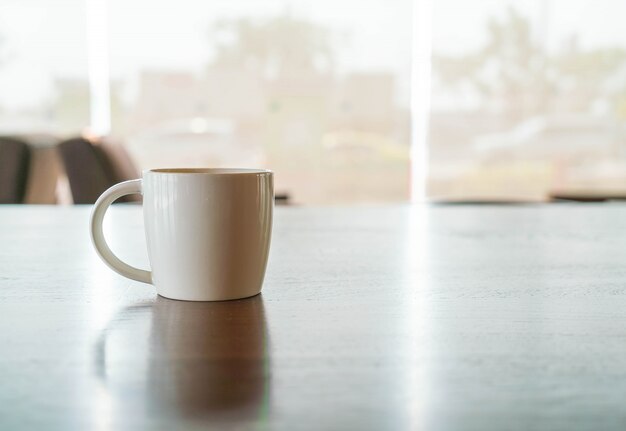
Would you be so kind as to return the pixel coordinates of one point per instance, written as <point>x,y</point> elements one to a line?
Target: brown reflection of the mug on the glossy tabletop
<point>204,359</point>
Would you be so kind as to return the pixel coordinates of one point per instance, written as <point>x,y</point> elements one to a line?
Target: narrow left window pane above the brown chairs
<point>43,67</point>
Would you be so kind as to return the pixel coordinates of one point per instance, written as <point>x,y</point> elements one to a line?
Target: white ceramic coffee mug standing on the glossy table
<point>207,231</point>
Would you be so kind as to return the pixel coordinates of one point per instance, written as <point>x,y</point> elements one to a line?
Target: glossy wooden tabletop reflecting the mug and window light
<point>393,317</point>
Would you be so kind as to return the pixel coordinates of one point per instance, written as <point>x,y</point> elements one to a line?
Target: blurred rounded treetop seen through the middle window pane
<point>275,47</point>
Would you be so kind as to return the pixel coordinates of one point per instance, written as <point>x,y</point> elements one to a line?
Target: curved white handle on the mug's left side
<point>97,235</point>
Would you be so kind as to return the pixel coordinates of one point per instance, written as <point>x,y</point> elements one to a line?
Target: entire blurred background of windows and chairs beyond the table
<point>350,101</point>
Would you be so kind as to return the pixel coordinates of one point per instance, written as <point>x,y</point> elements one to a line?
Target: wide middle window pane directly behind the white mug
<point>319,92</point>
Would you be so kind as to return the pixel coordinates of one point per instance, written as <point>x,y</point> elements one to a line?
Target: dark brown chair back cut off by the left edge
<point>14,168</point>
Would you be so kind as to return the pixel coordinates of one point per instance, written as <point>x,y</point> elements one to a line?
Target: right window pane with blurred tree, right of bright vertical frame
<point>528,98</point>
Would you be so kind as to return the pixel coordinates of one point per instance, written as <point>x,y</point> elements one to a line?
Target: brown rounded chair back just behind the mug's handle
<point>93,167</point>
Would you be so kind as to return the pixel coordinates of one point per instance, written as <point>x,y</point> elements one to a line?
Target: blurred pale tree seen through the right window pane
<point>515,74</point>
